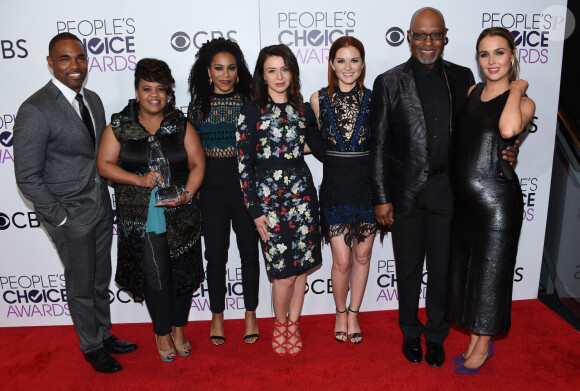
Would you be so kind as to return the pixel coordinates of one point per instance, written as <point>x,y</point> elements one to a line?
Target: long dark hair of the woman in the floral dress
<point>260,89</point>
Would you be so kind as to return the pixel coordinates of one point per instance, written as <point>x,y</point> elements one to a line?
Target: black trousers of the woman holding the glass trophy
<point>166,309</point>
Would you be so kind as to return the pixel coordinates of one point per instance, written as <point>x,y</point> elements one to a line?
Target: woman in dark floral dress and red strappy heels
<point>277,185</point>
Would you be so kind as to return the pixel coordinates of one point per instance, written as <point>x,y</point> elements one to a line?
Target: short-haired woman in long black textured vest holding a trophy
<point>158,245</point>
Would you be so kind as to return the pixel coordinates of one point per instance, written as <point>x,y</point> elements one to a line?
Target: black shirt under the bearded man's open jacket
<point>434,95</point>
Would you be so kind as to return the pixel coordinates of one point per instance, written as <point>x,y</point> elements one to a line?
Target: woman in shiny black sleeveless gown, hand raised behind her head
<point>488,199</point>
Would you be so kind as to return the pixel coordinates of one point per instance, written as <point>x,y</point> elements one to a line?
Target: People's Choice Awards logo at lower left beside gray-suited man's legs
<point>34,296</point>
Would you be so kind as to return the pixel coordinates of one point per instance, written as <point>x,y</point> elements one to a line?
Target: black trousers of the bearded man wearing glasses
<point>425,233</point>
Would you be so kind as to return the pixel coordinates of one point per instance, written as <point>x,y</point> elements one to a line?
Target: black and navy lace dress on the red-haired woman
<point>345,193</point>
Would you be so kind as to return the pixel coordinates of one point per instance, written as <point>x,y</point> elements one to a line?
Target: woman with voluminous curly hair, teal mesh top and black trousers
<point>219,83</point>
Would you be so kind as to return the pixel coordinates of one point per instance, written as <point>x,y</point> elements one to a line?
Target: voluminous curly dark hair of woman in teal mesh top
<point>199,87</point>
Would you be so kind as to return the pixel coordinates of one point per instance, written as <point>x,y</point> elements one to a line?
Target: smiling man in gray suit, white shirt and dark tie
<point>56,133</point>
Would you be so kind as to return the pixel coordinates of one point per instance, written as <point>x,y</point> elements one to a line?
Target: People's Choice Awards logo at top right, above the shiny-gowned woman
<point>533,32</point>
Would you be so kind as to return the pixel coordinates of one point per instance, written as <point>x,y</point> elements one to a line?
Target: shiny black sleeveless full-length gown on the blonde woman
<point>487,220</point>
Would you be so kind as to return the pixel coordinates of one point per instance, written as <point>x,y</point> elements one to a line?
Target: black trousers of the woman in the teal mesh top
<point>222,204</point>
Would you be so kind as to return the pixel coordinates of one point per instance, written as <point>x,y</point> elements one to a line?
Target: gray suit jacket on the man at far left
<point>54,157</point>
